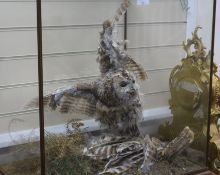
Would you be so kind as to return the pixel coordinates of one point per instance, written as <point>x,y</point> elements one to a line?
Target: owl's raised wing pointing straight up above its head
<point>112,56</point>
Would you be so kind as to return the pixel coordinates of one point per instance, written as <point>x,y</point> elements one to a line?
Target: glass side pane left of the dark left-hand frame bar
<point>19,123</point>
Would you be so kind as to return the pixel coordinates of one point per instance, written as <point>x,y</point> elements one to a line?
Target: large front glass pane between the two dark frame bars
<point>140,110</point>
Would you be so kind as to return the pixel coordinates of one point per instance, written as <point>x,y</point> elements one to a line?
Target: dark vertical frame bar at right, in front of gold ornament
<point>210,81</point>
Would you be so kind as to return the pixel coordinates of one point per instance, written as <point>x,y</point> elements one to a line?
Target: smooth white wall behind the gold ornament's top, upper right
<point>200,13</point>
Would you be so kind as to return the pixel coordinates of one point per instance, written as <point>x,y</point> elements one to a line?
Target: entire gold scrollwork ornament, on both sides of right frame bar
<point>189,87</point>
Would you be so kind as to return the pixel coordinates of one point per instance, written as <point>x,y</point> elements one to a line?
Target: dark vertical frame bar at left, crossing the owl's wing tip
<point>40,85</point>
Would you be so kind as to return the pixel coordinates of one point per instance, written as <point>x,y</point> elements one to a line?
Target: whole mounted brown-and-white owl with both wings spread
<point>114,98</point>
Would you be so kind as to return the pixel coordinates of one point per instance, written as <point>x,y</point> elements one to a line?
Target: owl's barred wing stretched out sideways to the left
<point>79,99</point>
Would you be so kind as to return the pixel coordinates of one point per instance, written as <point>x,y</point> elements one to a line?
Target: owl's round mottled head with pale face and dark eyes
<point>118,87</point>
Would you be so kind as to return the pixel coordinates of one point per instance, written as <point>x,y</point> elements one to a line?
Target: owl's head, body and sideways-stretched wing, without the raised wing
<point>113,100</point>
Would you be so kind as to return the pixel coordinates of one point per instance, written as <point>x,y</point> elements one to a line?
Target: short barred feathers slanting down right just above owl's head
<point>134,67</point>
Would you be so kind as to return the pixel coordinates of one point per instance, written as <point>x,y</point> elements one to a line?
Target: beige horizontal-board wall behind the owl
<point>70,40</point>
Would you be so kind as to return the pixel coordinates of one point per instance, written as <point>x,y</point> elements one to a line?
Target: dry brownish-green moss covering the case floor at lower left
<point>63,157</point>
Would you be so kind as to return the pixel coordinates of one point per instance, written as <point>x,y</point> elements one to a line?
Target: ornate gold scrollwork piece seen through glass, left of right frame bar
<point>189,87</point>
